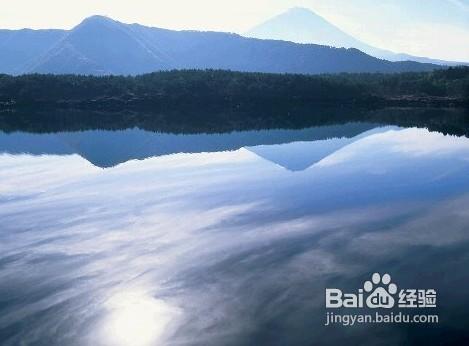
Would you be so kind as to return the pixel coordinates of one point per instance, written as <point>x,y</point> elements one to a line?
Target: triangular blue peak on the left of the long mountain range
<point>100,45</point>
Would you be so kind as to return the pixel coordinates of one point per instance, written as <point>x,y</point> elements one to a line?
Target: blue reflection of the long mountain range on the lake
<point>110,148</point>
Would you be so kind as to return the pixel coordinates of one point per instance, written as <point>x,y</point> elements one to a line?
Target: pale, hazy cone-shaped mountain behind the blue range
<point>302,25</point>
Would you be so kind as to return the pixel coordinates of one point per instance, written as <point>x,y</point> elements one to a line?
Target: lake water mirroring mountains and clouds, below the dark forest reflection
<point>139,237</point>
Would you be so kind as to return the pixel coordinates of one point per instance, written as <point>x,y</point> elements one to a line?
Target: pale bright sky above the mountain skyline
<point>432,28</point>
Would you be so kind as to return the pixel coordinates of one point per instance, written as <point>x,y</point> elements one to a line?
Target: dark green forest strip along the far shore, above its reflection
<point>175,89</point>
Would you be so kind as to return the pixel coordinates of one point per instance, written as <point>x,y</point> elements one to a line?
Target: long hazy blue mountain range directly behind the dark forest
<point>100,45</point>
